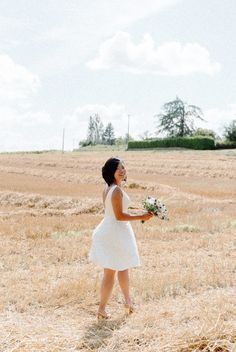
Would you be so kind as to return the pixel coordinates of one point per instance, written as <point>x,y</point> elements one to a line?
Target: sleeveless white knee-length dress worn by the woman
<point>113,242</point>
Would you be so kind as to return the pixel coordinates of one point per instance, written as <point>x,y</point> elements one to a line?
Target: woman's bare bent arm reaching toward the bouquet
<point>117,207</point>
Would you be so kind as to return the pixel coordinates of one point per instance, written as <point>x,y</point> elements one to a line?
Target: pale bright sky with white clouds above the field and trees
<point>62,61</point>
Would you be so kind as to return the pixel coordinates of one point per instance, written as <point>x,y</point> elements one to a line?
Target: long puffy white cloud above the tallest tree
<point>172,58</point>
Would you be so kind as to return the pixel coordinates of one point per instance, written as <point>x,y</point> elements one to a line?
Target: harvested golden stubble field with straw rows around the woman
<point>184,292</point>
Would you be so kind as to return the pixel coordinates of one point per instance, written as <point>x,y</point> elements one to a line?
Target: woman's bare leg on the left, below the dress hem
<point>106,288</point>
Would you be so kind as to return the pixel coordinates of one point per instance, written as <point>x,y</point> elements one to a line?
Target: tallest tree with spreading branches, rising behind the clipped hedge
<point>177,118</point>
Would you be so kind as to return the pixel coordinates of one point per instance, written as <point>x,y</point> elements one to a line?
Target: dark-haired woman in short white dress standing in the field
<point>113,242</point>
